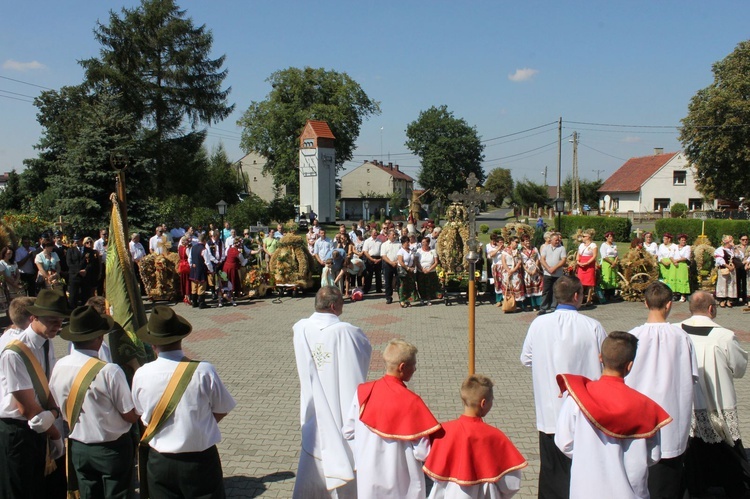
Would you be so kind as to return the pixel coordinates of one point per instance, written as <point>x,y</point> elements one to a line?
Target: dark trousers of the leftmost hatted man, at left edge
<point>23,453</point>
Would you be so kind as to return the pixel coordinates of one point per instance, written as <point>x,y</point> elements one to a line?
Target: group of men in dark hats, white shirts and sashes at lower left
<point>94,404</point>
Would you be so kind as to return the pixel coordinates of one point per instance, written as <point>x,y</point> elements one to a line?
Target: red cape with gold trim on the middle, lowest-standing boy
<point>467,451</point>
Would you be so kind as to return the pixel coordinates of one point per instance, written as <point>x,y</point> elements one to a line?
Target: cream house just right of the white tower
<point>366,190</point>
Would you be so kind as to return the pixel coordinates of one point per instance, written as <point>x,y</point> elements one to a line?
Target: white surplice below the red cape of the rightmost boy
<point>603,466</point>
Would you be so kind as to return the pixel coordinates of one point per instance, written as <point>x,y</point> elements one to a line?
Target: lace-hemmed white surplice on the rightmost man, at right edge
<point>721,360</point>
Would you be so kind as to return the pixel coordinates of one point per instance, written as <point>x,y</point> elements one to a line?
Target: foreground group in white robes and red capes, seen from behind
<point>647,413</point>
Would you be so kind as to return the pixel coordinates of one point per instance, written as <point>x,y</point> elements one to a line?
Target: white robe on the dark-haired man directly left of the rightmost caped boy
<point>564,342</point>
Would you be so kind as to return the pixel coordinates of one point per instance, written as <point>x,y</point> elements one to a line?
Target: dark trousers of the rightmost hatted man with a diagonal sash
<point>196,475</point>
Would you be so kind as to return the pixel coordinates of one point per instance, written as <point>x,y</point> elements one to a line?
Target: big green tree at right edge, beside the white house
<point>715,132</point>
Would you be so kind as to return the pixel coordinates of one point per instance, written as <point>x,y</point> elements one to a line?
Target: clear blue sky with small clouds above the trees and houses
<point>504,67</point>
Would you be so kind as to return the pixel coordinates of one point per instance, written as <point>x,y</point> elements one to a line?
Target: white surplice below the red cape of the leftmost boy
<point>386,468</point>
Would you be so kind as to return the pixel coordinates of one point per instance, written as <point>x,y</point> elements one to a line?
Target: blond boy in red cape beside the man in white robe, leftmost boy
<point>390,426</point>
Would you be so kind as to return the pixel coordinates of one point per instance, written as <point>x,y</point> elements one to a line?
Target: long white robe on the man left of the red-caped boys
<point>333,358</point>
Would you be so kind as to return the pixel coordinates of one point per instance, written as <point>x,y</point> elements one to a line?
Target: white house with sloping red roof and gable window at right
<point>652,184</point>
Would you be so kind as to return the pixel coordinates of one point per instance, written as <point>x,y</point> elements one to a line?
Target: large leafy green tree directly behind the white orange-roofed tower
<point>272,126</point>
